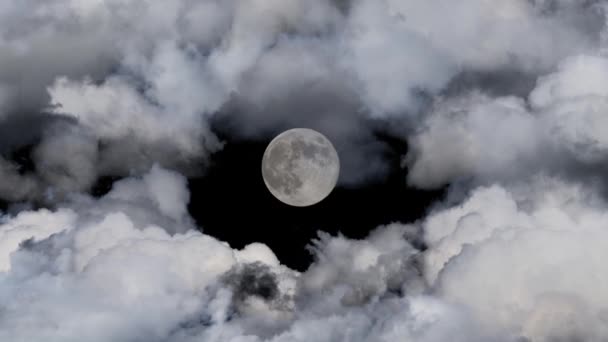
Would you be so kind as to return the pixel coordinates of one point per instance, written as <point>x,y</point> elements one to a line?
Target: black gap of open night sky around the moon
<point>231,203</point>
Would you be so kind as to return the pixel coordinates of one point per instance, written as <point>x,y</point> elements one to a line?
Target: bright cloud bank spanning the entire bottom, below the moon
<point>507,264</point>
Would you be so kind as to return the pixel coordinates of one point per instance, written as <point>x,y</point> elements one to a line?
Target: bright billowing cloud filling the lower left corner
<point>97,268</point>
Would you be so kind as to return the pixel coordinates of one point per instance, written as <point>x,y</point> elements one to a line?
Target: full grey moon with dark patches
<point>300,167</point>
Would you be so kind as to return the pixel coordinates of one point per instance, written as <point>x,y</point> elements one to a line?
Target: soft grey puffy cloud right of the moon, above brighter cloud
<point>475,137</point>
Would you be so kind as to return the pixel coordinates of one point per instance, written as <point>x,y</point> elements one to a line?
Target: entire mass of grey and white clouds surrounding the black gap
<point>136,88</point>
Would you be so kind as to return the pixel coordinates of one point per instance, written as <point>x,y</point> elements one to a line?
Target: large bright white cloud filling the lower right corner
<point>529,250</point>
